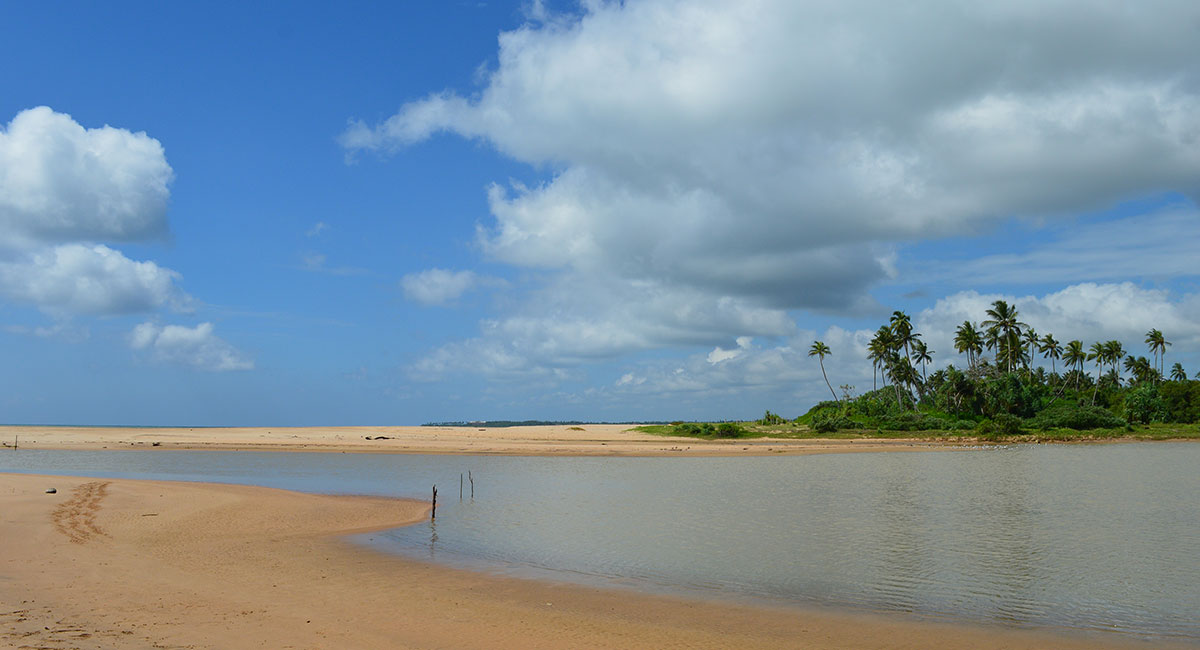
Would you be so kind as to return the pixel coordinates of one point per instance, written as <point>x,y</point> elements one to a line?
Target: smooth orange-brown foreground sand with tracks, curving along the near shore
<point>117,564</point>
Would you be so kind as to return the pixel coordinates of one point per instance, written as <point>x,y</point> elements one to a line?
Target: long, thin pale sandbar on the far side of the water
<point>543,441</point>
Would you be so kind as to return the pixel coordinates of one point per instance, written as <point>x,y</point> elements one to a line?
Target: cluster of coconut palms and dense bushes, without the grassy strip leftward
<point>1001,380</point>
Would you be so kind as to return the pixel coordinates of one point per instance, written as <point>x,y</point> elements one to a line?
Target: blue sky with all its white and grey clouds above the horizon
<point>346,214</point>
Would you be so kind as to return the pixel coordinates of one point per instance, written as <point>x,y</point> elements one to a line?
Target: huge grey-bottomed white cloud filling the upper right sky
<point>771,154</point>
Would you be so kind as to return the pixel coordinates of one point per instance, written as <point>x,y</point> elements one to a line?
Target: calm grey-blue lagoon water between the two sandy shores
<point>1096,538</point>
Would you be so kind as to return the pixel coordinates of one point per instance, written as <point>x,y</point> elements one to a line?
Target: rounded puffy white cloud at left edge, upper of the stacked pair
<point>62,183</point>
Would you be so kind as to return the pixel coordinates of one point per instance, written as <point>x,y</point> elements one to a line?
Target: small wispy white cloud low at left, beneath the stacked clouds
<point>196,347</point>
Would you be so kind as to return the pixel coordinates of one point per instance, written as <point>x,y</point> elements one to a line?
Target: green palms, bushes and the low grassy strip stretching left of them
<point>1004,396</point>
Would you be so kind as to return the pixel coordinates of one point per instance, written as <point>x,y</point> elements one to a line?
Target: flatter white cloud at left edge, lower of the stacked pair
<point>89,280</point>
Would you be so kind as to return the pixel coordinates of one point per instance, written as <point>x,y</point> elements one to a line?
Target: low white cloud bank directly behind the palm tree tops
<point>782,376</point>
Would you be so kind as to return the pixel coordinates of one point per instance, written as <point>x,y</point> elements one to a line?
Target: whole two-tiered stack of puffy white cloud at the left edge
<point>63,188</point>
